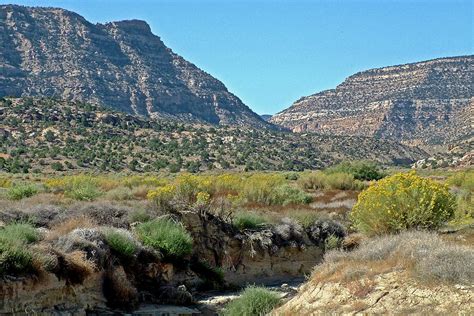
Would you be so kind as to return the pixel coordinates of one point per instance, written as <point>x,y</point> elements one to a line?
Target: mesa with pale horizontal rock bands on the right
<point>424,103</point>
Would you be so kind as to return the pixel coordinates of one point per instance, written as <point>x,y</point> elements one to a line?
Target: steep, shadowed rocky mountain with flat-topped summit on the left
<point>123,65</point>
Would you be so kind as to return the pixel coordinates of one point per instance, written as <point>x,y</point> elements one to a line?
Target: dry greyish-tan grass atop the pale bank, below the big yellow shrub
<point>423,254</point>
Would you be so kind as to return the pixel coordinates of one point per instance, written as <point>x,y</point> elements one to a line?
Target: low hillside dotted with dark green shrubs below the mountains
<point>44,135</point>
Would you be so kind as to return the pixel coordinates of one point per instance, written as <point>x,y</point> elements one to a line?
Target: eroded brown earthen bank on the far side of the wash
<point>265,256</point>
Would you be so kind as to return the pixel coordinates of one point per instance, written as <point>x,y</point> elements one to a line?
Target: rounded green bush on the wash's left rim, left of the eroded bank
<point>167,236</point>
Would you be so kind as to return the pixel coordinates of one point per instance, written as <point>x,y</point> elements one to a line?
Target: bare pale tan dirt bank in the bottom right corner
<point>391,293</point>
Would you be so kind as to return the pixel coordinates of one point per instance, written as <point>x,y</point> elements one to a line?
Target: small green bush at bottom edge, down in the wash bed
<point>253,301</point>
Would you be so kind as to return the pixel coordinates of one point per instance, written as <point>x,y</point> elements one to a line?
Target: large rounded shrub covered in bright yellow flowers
<point>401,202</point>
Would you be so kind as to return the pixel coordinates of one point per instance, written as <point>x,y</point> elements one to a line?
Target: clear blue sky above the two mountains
<point>271,52</point>
